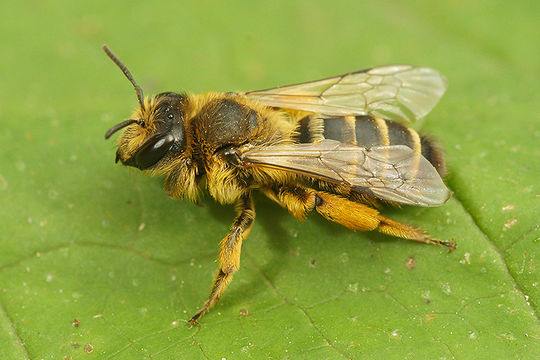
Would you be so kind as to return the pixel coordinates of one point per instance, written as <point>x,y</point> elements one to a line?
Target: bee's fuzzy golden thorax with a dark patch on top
<point>220,121</point>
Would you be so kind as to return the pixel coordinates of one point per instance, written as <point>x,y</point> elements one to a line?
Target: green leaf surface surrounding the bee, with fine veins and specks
<point>81,238</point>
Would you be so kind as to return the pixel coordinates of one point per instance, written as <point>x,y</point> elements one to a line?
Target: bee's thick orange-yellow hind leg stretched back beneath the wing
<point>299,200</point>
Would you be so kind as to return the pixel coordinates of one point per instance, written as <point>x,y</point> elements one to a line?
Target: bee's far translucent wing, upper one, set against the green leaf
<point>395,92</point>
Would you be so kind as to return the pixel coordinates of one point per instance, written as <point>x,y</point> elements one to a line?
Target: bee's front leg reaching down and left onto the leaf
<point>229,253</point>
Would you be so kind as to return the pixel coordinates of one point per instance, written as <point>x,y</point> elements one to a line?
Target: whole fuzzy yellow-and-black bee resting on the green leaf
<point>340,146</point>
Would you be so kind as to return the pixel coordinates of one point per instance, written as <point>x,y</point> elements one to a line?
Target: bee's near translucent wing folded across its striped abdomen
<point>391,173</point>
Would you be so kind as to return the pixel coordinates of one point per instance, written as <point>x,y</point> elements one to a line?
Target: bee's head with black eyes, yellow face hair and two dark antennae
<point>155,132</point>
